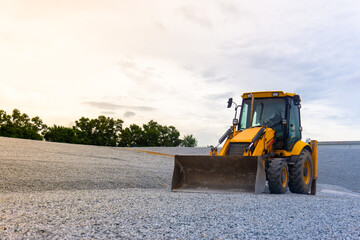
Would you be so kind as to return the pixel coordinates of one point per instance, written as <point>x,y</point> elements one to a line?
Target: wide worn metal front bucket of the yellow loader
<point>194,173</point>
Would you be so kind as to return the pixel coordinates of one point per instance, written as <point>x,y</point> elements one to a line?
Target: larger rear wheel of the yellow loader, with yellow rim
<point>301,173</point>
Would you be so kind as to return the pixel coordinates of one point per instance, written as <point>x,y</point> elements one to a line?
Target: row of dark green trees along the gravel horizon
<point>101,131</point>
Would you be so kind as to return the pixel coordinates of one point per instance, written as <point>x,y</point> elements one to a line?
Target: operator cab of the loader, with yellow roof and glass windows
<point>281,113</point>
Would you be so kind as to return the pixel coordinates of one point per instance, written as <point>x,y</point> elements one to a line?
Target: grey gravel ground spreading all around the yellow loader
<point>63,191</point>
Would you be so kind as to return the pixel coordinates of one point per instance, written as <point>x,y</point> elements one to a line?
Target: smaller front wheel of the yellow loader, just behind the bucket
<point>278,176</point>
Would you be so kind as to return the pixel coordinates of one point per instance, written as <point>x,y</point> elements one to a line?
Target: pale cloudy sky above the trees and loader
<point>178,62</point>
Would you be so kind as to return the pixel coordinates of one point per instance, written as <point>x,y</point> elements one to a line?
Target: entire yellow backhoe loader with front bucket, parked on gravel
<point>263,146</point>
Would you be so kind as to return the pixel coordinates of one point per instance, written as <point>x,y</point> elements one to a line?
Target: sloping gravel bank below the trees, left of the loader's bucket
<point>41,166</point>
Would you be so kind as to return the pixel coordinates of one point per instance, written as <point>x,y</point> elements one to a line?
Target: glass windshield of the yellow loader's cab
<point>267,111</point>
